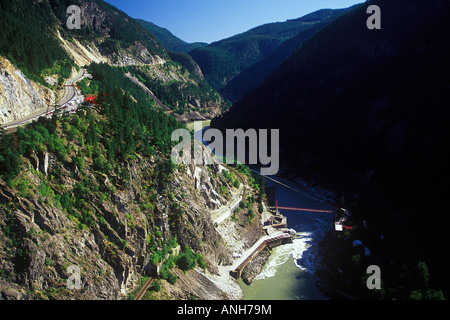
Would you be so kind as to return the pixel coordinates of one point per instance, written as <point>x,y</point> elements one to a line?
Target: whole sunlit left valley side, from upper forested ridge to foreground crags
<point>96,189</point>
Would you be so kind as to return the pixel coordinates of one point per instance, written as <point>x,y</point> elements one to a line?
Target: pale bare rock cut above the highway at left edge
<point>20,96</point>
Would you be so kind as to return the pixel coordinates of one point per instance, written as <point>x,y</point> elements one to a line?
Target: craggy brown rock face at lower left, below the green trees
<point>40,241</point>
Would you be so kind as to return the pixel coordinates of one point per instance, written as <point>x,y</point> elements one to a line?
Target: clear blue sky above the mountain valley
<point>213,20</point>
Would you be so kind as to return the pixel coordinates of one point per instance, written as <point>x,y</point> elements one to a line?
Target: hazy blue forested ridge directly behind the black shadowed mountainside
<point>223,60</point>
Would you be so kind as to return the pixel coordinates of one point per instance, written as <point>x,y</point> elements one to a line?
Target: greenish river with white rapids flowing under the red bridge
<point>289,272</point>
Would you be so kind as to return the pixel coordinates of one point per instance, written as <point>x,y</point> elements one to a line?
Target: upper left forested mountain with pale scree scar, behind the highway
<point>37,40</point>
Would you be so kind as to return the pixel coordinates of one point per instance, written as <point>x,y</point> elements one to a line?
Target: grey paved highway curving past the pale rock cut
<point>70,93</point>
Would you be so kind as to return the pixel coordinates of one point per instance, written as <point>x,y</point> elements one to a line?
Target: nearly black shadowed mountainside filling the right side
<point>366,112</point>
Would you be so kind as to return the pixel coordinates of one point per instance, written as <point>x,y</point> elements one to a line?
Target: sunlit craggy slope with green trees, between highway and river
<point>97,190</point>
